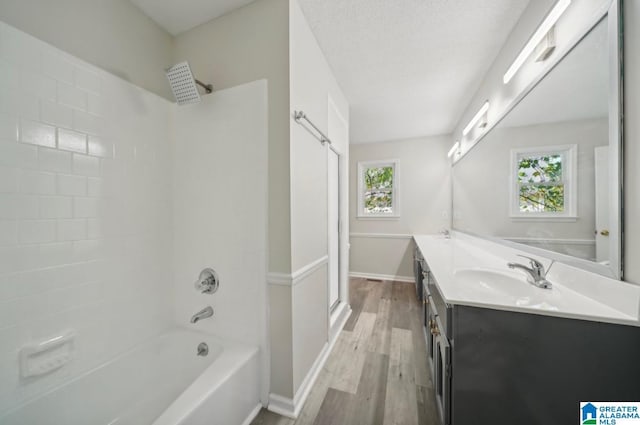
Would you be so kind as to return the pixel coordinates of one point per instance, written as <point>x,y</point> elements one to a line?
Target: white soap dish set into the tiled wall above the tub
<point>46,356</point>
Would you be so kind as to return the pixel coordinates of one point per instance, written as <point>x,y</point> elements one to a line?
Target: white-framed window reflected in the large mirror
<point>543,182</point>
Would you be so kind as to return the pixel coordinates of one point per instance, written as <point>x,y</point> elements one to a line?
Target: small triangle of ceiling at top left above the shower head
<point>178,16</point>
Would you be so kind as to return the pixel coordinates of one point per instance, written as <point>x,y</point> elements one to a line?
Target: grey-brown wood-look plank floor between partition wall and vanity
<point>377,371</point>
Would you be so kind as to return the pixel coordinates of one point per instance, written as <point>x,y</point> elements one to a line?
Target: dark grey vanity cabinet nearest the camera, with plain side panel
<point>499,367</point>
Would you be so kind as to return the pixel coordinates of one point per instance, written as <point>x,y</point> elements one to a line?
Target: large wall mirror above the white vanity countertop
<point>546,176</point>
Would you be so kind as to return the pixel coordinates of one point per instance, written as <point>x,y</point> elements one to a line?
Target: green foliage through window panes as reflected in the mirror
<point>540,184</point>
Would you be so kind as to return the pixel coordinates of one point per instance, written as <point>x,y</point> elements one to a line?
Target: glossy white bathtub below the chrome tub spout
<point>161,382</point>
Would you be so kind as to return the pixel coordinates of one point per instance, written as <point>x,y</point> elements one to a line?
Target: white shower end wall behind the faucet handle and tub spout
<point>220,210</point>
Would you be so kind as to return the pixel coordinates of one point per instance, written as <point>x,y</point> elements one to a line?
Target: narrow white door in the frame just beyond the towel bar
<point>334,228</point>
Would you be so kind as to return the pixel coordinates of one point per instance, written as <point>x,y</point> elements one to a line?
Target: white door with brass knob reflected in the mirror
<point>602,204</point>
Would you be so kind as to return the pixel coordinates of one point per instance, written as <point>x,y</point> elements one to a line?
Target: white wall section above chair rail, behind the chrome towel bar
<point>312,84</point>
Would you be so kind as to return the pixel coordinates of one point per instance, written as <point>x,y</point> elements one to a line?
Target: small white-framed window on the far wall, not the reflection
<point>378,189</point>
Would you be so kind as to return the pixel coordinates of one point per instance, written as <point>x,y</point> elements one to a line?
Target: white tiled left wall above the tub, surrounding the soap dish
<point>85,210</point>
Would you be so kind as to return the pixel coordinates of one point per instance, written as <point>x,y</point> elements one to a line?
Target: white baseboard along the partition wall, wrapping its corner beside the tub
<point>291,408</point>
